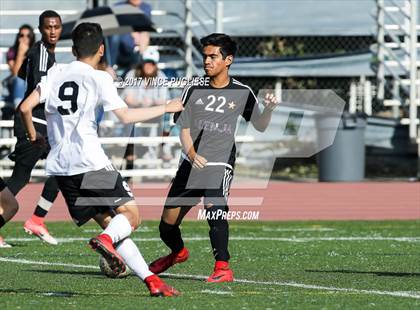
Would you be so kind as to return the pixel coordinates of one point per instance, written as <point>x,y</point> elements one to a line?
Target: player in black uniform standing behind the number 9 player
<point>39,59</point>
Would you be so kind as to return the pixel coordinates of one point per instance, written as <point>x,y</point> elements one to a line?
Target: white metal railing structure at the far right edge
<point>396,53</point>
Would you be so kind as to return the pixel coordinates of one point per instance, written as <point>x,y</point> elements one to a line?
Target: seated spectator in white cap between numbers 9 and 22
<point>146,94</point>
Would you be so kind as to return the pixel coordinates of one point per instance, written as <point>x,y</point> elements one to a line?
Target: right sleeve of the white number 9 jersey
<point>108,93</point>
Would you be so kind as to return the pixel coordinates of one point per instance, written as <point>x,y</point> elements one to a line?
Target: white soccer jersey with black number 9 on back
<point>74,96</point>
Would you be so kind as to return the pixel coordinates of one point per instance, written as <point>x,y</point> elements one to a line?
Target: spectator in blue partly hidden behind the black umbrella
<point>126,49</point>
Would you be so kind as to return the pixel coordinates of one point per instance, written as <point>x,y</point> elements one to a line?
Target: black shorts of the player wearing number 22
<point>190,185</point>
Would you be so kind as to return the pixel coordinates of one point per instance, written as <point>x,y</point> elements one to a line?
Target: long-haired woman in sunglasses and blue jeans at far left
<point>25,39</point>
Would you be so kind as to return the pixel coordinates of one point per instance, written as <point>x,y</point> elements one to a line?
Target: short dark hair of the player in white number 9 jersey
<point>87,38</point>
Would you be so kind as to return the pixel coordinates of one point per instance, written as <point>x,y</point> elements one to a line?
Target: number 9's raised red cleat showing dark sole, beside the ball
<point>103,245</point>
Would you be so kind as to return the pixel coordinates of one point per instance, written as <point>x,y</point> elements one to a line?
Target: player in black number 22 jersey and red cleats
<point>208,125</point>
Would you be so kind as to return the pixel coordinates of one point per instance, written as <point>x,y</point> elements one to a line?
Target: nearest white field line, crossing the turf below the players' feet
<point>406,294</point>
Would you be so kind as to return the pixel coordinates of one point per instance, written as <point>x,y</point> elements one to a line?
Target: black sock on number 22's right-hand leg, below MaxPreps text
<point>219,235</point>
